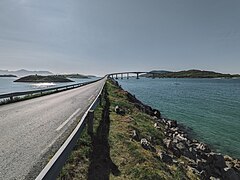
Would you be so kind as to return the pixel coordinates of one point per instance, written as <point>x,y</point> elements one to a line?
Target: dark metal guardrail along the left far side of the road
<point>11,96</point>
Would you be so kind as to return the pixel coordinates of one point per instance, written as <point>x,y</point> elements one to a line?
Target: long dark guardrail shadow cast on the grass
<point>101,164</point>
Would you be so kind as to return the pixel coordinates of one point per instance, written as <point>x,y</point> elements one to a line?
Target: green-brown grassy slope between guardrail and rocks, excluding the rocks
<point>112,153</point>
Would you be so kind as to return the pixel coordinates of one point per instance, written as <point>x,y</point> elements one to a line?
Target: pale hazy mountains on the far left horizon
<point>23,72</point>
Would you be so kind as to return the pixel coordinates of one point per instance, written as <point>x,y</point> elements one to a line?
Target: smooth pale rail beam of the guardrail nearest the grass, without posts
<point>65,144</point>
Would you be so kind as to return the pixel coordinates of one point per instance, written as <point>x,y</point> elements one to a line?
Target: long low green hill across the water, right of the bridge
<point>192,74</point>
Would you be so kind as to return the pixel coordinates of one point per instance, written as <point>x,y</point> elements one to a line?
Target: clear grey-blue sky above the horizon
<point>102,36</point>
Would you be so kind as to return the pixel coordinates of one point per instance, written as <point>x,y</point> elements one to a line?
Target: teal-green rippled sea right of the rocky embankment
<point>209,107</point>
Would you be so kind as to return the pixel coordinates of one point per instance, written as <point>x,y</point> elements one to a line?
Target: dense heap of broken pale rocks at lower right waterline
<point>201,160</point>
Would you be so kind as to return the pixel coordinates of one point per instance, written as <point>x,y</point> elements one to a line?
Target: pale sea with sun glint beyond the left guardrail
<point>7,85</point>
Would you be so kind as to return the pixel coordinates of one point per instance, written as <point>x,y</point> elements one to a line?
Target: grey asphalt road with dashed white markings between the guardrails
<point>31,129</point>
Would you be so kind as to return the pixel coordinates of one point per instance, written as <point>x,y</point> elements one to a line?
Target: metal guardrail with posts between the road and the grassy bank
<point>54,166</point>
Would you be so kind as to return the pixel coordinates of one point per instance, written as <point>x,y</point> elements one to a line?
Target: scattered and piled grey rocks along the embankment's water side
<point>194,155</point>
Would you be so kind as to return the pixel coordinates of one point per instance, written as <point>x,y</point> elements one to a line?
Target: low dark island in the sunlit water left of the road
<point>43,79</point>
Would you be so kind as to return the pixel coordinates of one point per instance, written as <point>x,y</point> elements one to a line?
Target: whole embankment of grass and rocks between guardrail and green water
<point>133,141</point>
